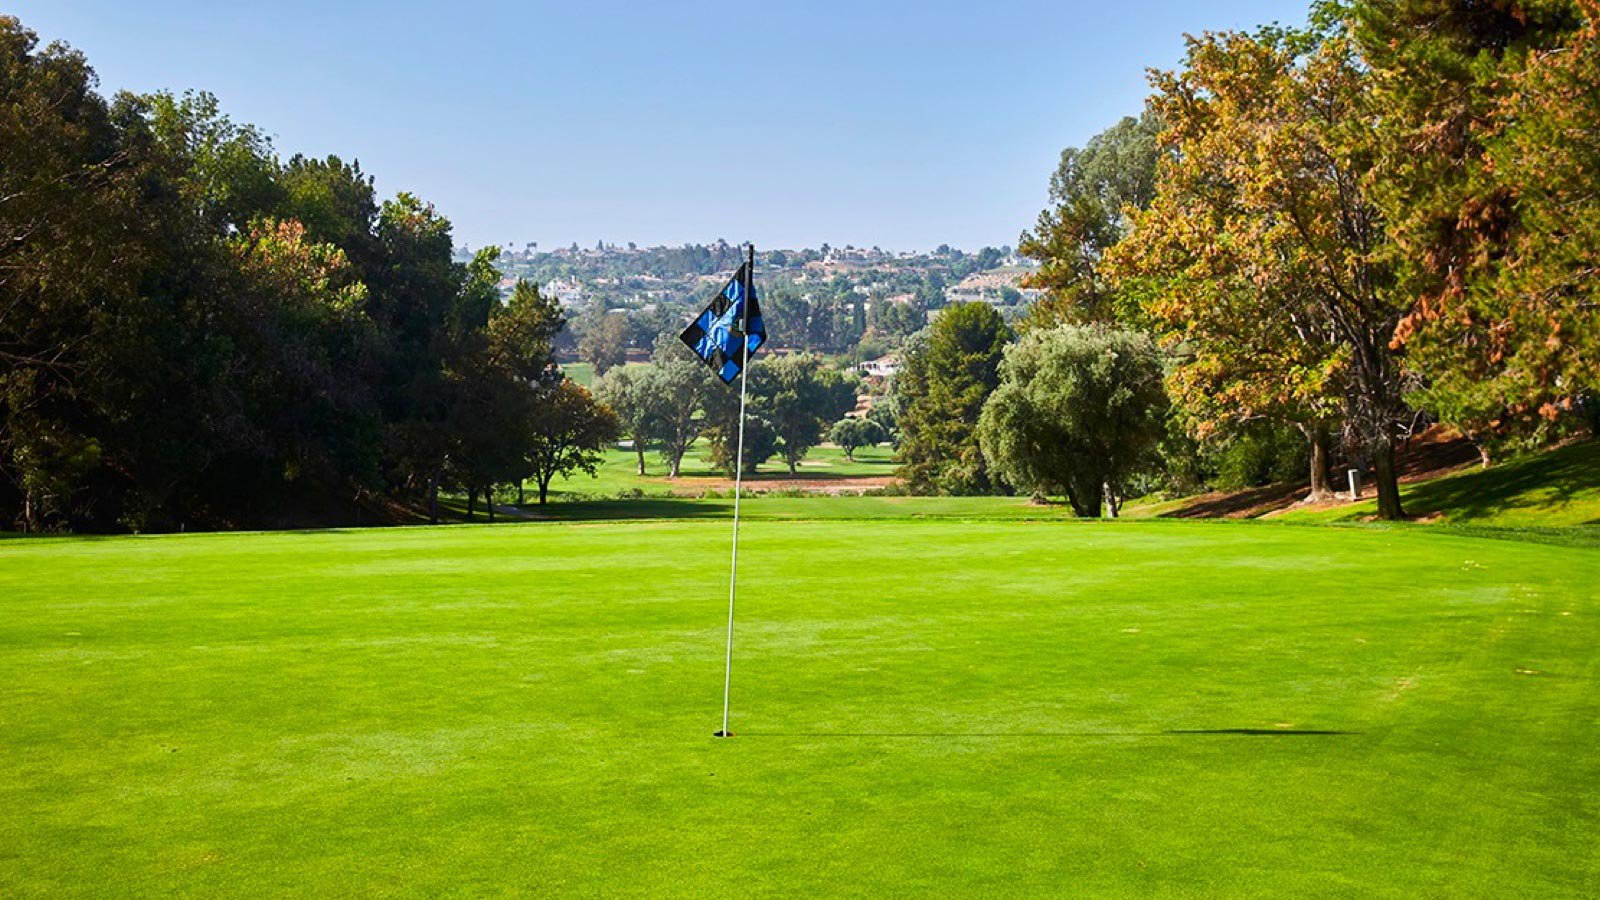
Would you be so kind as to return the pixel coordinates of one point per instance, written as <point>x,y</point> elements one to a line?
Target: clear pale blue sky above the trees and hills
<point>902,126</point>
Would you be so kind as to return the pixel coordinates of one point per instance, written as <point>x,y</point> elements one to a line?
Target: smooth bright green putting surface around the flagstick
<point>922,707</point>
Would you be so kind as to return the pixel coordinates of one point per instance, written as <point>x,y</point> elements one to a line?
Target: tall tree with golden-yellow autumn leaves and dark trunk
<point>1263,254</point>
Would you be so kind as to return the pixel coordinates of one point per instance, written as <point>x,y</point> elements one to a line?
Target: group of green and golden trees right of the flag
<point>1385,219</point>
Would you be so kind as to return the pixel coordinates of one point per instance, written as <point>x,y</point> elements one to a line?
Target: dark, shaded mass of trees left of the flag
<point>199,334</point>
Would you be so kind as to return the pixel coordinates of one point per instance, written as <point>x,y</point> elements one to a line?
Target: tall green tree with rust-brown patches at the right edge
<point>1487,179</point>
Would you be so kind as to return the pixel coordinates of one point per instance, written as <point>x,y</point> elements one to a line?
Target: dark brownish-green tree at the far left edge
<point>68,220</point>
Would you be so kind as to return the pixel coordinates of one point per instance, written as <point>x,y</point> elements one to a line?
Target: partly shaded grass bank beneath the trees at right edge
<point>1561,488</point>
